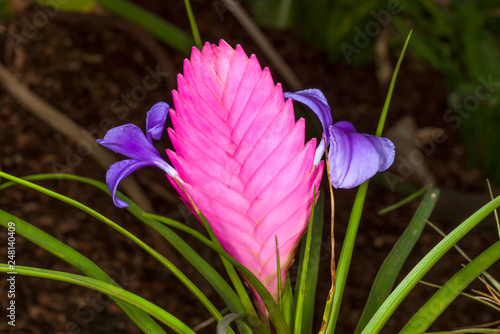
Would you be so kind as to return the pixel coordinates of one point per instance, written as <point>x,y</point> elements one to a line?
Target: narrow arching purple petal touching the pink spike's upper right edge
<point>314,99</point>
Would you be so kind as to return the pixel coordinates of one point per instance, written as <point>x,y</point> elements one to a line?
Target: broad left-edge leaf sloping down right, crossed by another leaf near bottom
<point>76,259</point>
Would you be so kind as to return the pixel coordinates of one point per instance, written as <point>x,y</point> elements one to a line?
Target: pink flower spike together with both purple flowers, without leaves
<point>240,157</point>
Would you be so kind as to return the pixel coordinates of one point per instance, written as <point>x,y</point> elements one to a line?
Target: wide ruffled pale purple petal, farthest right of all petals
<point>356,157</point>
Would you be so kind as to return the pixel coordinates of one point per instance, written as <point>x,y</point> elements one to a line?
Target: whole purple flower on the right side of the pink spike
<point>353,157</point>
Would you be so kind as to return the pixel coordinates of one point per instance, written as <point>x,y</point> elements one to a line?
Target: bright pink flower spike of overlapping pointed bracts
<point>241,158</point>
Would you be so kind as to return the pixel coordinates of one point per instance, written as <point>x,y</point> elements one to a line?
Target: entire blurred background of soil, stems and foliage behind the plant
<point>71,70</point>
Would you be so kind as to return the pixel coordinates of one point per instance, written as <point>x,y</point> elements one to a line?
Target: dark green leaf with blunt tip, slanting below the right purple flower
<point>388,272</point>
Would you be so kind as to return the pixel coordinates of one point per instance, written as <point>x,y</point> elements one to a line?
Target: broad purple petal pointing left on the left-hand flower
<point>130,141</point>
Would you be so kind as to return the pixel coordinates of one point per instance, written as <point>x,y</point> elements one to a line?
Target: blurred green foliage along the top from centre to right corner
<point>458,39</point>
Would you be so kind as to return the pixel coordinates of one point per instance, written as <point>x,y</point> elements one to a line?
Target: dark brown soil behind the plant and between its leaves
<point>82,66</point>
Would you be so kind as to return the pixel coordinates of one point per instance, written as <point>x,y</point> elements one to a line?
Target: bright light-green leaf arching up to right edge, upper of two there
<point>417,273</point>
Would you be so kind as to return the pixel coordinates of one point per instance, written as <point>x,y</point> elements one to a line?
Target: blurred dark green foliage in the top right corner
<point>460,42</point>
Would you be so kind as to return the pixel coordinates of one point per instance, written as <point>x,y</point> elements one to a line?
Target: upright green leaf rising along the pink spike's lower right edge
<point>308,270</point>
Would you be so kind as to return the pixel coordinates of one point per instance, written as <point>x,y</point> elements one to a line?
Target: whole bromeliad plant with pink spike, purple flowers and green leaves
<point>240,164</point>
